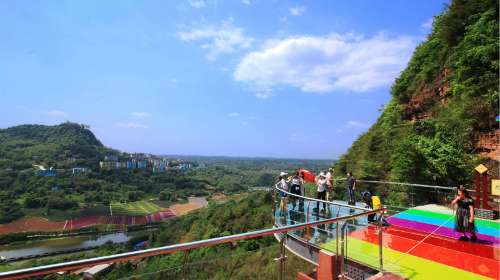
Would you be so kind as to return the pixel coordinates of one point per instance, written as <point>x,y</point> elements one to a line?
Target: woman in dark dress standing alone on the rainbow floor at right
<point>464,220</point>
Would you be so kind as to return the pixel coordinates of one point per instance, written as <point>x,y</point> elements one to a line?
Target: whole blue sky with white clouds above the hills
<point>295,79</point>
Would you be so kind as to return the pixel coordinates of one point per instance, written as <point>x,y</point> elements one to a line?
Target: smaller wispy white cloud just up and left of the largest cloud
<point>218,39</point>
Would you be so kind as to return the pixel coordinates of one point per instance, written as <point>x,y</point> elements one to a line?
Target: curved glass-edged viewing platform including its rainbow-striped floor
<point>416,243</point>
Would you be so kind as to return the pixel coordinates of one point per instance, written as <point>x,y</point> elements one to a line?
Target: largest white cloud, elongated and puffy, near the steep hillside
<point>323,64</point>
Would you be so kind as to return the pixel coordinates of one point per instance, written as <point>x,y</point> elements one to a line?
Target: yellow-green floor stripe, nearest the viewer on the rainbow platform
<point>405,265</point>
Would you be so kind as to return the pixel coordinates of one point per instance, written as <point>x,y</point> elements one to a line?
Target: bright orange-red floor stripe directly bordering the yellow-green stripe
<point>465,261</point>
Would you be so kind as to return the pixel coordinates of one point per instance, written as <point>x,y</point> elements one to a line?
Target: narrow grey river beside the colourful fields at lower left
<point>51,246</point>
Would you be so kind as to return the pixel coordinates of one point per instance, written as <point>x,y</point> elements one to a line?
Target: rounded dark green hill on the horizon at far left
<point>64,145</point>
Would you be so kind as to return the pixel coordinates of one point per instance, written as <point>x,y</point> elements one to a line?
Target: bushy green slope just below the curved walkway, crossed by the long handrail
<point>250,259</point>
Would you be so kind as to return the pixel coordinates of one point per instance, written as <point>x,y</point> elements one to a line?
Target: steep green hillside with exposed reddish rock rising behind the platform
<point>446,96</point>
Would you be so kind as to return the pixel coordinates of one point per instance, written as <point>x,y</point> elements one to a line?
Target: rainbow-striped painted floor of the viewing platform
<point>420,243</point>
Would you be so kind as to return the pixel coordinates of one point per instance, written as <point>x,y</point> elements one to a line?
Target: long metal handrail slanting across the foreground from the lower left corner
<point>73,265</point>
